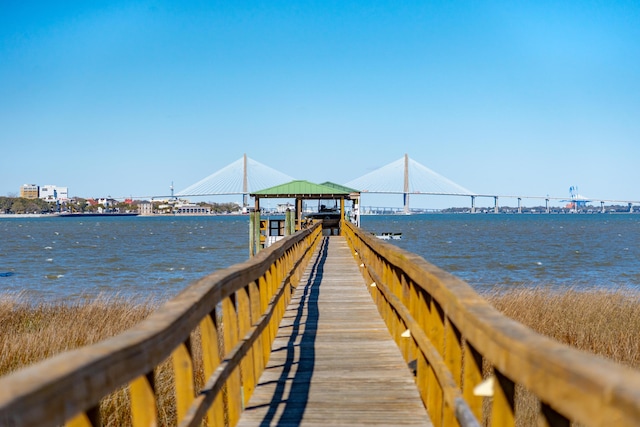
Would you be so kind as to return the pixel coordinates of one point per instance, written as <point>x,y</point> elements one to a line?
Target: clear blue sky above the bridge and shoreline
<point>124,97</point>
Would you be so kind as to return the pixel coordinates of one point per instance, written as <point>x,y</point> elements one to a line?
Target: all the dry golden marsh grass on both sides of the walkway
<point>597,321</point>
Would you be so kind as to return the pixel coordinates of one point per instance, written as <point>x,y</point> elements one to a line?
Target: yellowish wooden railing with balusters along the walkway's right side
<point>451,335</point>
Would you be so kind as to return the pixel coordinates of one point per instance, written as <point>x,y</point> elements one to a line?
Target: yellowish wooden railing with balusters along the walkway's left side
<point>235,312</point>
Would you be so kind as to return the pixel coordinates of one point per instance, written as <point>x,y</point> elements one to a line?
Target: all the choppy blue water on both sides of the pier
<point>156,257</point>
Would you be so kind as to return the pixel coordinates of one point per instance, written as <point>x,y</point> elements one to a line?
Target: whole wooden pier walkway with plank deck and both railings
<point>324,330</point>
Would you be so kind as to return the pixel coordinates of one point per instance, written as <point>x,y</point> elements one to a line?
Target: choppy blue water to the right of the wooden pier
<point>524,250</point>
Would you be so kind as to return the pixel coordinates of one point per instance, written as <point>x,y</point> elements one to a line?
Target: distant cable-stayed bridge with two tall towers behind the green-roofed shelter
<point>404,176</point>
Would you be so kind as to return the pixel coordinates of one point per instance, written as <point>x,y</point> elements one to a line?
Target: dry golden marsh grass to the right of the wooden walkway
<point>598,321</point>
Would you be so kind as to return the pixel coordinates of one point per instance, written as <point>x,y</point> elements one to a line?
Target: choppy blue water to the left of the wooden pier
<point>153,257</point>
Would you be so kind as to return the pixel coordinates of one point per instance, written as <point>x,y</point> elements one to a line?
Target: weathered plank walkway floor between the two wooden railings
<point>333,361</point>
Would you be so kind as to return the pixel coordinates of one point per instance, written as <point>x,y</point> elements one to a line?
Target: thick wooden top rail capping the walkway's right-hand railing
<point>582,387</point>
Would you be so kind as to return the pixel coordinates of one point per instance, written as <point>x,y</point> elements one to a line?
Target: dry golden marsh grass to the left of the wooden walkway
<point>31,333</point>
